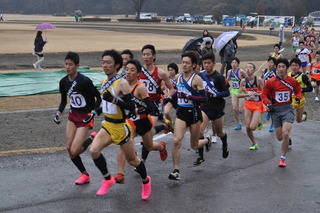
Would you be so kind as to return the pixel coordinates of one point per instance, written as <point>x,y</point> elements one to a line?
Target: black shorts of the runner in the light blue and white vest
<point>189,115</point>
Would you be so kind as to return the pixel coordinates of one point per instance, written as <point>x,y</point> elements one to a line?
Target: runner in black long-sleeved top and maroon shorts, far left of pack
<point>84,98</point>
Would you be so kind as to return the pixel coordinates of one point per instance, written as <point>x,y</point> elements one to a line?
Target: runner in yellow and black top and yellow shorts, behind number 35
<point>303,80</point>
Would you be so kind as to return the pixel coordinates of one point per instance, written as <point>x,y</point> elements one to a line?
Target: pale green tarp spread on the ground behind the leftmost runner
<point>31,83</point>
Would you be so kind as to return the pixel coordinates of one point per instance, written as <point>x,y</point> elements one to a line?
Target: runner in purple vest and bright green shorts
<point>236,75</point>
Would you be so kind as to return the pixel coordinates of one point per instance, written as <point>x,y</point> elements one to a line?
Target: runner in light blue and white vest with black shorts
<point>190,94</point>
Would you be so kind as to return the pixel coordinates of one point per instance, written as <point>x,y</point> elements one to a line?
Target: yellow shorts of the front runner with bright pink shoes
<point>119,133</point>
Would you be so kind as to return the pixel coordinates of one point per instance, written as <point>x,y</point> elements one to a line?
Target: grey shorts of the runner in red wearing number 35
<point>281,114</point>
